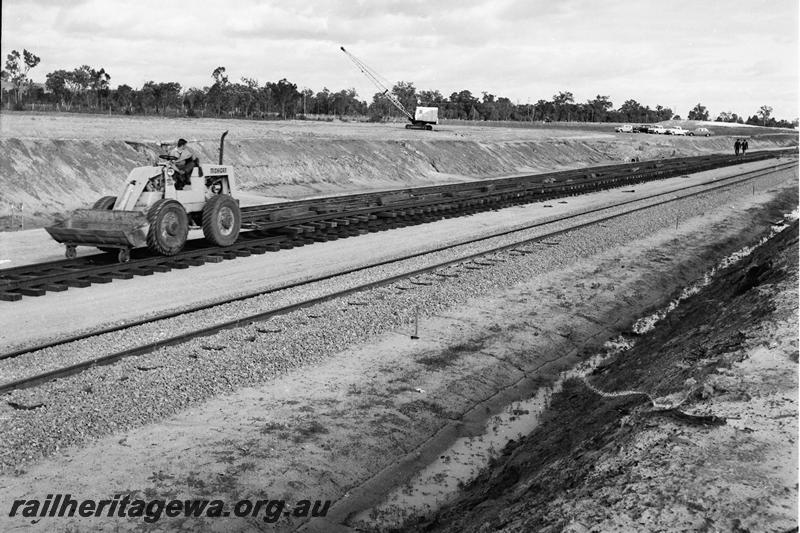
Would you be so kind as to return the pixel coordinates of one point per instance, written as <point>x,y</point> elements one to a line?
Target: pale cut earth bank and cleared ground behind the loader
<point>53,163</point>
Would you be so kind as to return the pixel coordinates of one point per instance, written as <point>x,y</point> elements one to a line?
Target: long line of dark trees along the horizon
<point>86,89</point>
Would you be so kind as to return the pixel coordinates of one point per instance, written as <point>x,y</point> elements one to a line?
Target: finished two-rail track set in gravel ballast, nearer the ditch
<point>597,215</point>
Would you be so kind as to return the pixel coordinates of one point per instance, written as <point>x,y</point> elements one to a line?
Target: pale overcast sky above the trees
<point>729,55</point>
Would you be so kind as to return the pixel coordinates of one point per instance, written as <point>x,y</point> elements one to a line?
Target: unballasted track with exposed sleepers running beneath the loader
<point>287,225</point>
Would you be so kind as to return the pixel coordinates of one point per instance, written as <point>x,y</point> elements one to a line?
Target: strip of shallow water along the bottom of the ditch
<point>440,482</point>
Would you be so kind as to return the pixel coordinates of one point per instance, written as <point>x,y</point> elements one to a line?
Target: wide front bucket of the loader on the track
<point>100,227</point>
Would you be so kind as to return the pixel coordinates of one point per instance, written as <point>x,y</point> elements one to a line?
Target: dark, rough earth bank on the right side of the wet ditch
<point>620,465</point>
